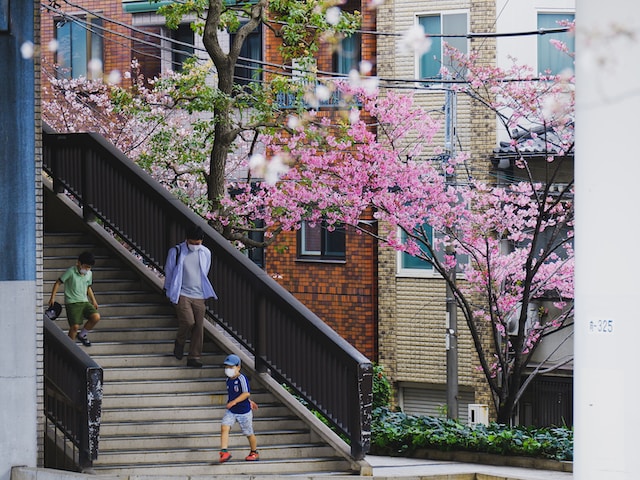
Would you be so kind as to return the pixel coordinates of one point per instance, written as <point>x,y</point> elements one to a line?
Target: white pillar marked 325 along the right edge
<point>607,417</point>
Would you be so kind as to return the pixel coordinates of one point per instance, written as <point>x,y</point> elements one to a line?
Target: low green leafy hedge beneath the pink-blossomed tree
<point>396,433</point>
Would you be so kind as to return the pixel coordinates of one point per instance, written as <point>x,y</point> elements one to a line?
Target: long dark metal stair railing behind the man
<point>286,338</point>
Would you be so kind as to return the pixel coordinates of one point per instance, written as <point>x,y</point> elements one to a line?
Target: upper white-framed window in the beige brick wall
<point>442,24</point>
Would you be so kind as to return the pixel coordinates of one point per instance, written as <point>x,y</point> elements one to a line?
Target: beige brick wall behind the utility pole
<point>412,310</point>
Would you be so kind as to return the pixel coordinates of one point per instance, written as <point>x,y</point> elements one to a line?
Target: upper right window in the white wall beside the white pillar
<point>549,57</point>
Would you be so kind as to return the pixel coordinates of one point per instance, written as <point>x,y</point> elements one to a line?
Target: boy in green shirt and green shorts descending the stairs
<point>79,300</point>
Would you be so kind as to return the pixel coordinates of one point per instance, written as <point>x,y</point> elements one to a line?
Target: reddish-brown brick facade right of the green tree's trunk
<point>342,292</point>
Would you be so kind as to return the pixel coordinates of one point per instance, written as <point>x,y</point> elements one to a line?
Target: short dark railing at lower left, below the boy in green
<point>73,395</point>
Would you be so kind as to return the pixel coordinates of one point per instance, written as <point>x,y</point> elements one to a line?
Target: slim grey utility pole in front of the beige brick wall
<point>451,335</point>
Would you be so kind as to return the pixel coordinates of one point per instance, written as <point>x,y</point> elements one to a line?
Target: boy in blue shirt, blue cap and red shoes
<point>239,408</point>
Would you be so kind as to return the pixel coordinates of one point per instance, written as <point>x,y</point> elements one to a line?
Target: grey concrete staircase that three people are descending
<point>160,417</point>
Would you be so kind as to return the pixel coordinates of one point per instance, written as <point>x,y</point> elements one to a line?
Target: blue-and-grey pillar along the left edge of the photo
<point>18,214</point>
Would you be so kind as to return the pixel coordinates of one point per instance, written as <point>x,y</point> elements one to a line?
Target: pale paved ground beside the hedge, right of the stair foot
<point>419,468</point>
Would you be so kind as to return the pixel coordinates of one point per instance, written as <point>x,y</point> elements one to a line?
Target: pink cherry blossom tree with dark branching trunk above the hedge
<point>511,244</point>
